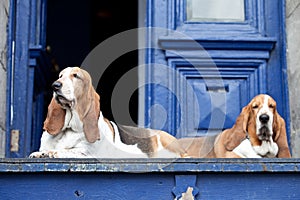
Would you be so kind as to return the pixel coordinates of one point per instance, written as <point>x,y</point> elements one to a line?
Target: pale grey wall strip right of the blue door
<point>293,60</point>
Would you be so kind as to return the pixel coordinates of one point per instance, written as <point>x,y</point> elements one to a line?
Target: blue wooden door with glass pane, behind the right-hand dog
<point>209,58</point>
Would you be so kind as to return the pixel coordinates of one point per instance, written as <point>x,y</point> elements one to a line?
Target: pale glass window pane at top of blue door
<point>215,10</point>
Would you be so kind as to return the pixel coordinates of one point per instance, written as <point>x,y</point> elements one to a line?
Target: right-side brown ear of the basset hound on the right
<point>280,137</point>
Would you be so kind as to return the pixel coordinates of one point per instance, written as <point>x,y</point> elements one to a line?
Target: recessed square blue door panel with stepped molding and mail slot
<point>218,93</point>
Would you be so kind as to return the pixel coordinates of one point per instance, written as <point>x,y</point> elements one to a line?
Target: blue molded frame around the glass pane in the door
<point>252,26</point>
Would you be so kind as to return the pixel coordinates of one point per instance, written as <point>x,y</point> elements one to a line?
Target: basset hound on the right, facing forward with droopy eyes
<point>259,132</point>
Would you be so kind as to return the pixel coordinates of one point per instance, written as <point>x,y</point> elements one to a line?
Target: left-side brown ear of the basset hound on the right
<point>235,135</point>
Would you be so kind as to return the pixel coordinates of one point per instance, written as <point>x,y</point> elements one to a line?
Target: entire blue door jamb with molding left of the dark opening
<point>28,63</point>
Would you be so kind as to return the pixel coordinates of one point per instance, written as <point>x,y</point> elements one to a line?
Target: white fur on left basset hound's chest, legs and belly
<point>72,143</point>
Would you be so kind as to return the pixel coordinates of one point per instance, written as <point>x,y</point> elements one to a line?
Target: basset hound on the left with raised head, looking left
<point>76,128</point>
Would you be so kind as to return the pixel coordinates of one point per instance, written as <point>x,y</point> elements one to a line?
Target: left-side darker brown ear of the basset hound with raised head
<point>55,118</point>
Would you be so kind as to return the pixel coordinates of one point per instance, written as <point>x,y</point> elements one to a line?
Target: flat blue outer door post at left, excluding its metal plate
<point>19,77</point>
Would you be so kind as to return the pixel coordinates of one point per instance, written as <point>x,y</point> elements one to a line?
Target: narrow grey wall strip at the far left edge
<point>3,48</point>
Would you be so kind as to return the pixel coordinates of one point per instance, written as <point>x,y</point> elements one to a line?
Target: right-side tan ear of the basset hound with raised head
<point>90,120</point>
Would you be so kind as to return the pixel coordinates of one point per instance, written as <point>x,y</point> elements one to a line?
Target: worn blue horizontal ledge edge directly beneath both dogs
<point>151,165</point>
